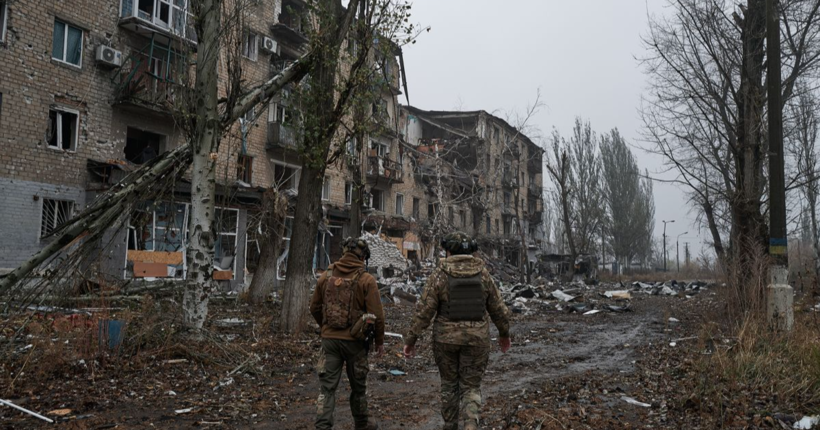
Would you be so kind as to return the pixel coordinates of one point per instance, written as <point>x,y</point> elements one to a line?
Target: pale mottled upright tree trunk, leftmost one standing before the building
<point>200,248</point>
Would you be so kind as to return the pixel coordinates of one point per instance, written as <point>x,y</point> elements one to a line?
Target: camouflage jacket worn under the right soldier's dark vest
<point>475,333</point>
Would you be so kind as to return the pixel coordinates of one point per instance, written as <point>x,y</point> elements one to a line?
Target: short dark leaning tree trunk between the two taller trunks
<point>274,208</point>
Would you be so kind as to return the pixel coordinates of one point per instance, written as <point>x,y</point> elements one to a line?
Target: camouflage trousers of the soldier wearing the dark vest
<point>461,368</point>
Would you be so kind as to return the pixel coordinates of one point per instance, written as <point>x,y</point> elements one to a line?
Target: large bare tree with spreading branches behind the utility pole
<point>704,111</point>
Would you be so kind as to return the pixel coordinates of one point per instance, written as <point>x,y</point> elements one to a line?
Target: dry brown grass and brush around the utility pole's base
<point>747,366</point>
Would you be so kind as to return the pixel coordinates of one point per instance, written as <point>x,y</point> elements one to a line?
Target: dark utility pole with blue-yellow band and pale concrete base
<point>780,296</point>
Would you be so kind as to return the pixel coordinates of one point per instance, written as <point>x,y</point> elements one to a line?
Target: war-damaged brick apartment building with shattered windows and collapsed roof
<point>86,93</point>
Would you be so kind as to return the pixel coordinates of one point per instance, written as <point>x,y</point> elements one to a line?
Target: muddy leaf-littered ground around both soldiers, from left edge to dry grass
<point>565,370</point>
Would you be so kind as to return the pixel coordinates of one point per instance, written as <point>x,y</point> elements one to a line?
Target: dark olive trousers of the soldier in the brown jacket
<point>336,354</point>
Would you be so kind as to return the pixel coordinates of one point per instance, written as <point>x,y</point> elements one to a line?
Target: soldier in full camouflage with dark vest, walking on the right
<point>463,298</point>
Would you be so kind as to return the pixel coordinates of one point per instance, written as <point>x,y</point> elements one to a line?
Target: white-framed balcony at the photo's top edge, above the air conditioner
<point>167,17</point>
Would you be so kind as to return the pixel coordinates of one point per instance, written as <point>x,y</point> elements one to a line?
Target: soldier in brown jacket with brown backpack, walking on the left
<point>345,294</point>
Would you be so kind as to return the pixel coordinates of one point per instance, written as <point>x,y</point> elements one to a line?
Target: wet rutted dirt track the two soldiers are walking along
<point>549,347</point>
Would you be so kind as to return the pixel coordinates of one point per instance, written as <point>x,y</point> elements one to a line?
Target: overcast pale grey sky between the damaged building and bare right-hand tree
<point>582,54</point>
